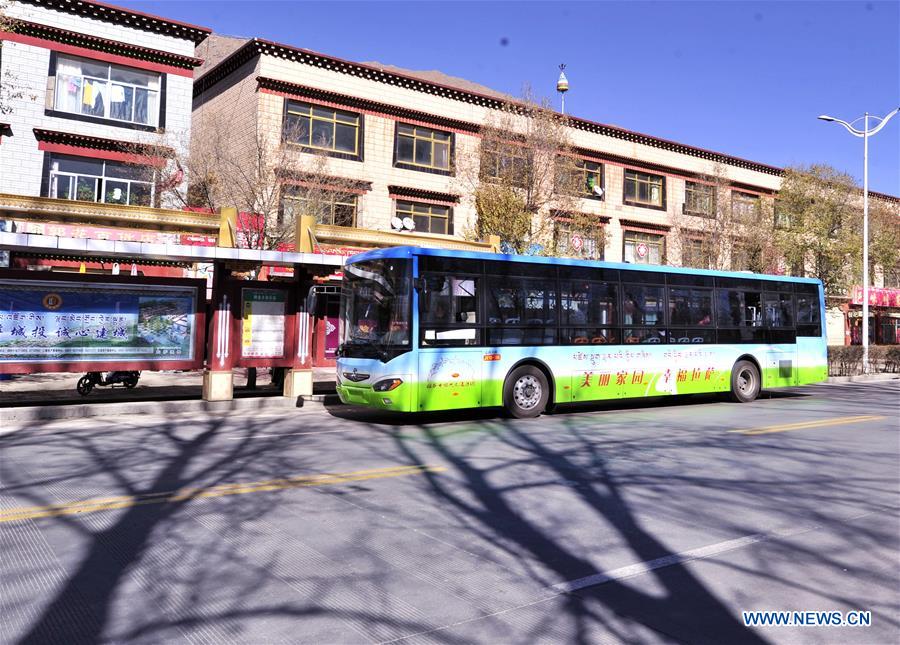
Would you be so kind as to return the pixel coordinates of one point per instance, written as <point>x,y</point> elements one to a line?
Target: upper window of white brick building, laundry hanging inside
<point>98,89</point>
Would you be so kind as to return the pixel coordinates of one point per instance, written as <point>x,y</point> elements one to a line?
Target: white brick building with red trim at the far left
<point>96,87</point>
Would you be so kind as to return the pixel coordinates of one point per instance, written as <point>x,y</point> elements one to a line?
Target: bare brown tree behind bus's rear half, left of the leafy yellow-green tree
<point>721,227</point>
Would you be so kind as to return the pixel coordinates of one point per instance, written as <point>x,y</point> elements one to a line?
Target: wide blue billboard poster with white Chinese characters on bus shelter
<point>95,322</point>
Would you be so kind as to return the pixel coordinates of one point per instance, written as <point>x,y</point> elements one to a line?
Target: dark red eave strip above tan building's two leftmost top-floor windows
<point>368,106</point>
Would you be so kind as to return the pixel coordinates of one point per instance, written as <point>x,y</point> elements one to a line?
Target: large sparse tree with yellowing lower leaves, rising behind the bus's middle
<point>524,175</point>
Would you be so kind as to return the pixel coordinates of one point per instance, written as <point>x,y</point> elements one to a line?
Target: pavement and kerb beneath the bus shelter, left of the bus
<point>53,396</point>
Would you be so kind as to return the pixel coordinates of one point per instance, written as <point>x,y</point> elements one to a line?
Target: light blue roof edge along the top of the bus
<point>410,251</point>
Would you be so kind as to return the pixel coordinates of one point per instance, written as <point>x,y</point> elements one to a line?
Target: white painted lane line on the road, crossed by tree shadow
<point>640,568</point>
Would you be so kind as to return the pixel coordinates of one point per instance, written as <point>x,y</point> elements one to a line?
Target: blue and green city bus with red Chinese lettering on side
<point>431,329</point>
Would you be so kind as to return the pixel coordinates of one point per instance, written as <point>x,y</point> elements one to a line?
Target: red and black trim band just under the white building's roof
<point>95,48</point>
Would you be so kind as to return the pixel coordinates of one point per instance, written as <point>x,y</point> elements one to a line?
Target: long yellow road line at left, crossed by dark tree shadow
<point>127,501</point>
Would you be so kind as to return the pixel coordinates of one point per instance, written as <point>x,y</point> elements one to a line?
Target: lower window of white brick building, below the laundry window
<point>96,180</point>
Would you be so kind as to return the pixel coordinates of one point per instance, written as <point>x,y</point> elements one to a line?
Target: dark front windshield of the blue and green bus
<point>375,309</point>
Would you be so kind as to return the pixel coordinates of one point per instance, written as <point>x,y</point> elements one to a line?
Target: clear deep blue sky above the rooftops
<point>744,78</point>
